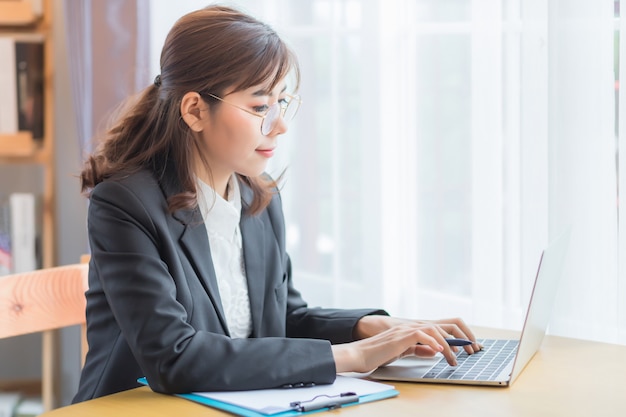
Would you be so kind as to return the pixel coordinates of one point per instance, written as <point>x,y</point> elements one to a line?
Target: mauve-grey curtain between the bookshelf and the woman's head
<point>107,45</point>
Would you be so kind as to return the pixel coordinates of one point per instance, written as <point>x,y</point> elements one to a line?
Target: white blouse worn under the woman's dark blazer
<point>222,218</point>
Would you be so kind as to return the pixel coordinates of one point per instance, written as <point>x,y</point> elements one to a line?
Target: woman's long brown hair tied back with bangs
<point>209,50</point>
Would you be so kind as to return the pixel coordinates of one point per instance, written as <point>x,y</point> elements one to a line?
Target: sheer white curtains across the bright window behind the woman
<point>439,148</point>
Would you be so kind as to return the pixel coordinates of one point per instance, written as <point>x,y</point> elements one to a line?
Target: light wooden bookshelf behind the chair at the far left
<point>20,152</point>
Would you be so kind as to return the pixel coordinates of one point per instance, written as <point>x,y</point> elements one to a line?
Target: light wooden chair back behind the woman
<point>45,300</point>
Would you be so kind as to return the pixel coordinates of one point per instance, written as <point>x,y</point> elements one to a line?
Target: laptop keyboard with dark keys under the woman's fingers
<point>485,365</point>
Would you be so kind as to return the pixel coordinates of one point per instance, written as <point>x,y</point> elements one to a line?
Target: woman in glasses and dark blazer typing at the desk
<point>189,281</point>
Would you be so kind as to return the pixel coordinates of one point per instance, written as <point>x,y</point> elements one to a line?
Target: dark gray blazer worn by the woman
<point>154,309</point>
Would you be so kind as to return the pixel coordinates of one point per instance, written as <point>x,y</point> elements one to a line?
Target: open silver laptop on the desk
<point>502,360</point>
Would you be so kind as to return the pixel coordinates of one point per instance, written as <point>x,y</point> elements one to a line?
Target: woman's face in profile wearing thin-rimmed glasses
<point>233,138</point>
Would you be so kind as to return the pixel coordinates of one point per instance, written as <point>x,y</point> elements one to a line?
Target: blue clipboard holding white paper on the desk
<point>286,402</point>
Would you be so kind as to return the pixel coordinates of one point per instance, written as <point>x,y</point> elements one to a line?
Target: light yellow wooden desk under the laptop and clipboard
<point>561,380</point>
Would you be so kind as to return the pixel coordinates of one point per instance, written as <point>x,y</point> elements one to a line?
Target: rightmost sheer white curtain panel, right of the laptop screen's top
<point>582,166</point>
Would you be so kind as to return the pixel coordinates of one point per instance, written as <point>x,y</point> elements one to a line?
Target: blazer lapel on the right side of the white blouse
<point>252,233</point>
